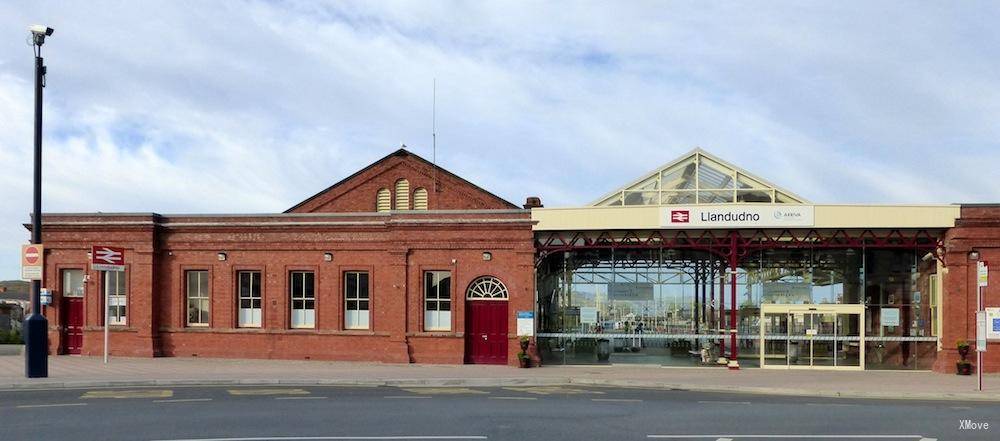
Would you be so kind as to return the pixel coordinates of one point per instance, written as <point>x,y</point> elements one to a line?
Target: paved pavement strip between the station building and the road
<point>73,371</point>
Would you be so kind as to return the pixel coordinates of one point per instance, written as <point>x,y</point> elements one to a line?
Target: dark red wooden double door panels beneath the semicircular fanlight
<point>486,332</point>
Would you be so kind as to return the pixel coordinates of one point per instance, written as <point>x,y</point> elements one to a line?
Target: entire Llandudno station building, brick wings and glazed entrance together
<point>698,262</point>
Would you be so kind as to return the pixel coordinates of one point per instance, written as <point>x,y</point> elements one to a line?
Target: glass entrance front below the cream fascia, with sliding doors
<point>790,303</point>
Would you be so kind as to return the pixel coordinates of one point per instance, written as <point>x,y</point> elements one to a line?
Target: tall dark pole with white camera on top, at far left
<point>36,338</point>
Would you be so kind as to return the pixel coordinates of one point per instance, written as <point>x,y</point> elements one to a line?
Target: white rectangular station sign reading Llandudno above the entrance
<point>737,216</point>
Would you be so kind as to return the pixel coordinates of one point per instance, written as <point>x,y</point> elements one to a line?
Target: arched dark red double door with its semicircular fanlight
<point>486,322</point>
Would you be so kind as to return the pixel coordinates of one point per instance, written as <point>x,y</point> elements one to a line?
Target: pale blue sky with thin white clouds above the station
<point>252,106</point>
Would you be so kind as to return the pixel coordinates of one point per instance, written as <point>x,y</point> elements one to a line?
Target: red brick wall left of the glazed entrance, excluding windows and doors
<point>395,249</point>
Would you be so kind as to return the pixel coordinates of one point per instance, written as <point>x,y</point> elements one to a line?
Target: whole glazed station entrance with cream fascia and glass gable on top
<point>700,263</point>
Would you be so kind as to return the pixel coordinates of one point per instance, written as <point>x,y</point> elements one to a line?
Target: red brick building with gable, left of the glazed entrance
<point>400,262</point>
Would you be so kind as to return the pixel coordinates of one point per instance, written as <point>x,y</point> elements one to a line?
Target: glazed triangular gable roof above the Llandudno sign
<point>698,177</point>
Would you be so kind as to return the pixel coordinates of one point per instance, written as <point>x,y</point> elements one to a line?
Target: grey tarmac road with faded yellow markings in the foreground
<point>238,413</point>
